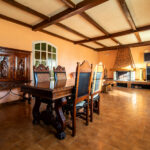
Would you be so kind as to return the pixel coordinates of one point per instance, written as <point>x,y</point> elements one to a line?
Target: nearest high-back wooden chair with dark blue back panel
<point>82,90</point>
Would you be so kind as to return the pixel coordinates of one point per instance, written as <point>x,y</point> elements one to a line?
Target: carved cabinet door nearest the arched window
<point>22,68</point>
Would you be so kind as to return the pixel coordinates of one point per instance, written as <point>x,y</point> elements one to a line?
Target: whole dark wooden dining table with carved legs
<point>54,95</point>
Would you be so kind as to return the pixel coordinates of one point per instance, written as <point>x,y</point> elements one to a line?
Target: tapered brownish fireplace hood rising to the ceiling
<point>124,61</point>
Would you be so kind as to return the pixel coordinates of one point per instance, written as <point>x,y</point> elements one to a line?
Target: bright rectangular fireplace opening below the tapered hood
<point>124,75</point>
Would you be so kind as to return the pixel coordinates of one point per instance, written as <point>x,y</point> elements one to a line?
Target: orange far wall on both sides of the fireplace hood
<point>108,58</point>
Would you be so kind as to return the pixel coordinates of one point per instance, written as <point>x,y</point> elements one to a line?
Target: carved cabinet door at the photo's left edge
<point>6,67</point>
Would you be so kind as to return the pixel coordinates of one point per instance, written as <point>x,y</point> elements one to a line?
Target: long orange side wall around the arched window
<point>19,37</point>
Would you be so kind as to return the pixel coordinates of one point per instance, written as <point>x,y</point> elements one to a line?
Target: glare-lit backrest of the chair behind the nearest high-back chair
<point>97,79</point>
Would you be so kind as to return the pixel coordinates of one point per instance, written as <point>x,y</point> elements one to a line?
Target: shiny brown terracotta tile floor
<point>124,124</point>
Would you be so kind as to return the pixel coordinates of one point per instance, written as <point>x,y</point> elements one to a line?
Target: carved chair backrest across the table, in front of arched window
<point>41,74</point>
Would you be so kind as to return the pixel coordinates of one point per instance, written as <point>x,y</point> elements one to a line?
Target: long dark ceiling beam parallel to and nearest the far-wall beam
<point>114,34</point>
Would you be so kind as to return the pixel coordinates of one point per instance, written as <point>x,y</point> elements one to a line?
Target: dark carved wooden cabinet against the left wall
<point>14,65</point>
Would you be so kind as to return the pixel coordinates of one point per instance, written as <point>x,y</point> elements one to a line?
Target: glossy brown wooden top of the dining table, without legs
<point>52,89</point>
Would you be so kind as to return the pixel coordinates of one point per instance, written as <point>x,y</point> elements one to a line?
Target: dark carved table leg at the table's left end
<point>35,112</point>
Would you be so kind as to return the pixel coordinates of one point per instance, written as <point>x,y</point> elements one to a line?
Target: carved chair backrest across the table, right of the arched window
<point>59,73</point>
